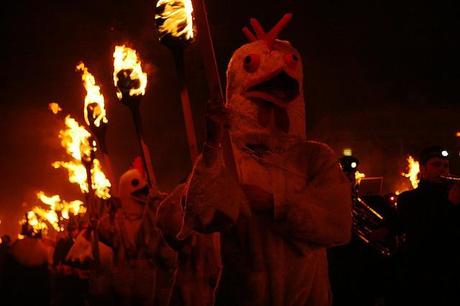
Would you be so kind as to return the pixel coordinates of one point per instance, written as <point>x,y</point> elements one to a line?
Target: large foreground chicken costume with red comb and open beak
<point>299,198</point>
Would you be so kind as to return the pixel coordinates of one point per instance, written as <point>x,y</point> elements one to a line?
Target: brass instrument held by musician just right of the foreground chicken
<point>365,221</point>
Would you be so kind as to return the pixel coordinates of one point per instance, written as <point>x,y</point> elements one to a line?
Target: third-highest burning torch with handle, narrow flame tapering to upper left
<point>96,117</point>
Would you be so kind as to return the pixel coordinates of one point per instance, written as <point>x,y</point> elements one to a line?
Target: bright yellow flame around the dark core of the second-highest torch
<point>126,60</point>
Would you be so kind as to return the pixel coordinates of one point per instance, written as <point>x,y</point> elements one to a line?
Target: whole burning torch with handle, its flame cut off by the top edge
<point>174,21</point>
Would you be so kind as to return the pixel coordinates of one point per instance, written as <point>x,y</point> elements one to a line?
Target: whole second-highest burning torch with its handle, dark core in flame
<point>131,81</point>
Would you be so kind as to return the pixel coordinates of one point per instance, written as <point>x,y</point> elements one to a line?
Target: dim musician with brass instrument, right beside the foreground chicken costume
<point>360,273</point>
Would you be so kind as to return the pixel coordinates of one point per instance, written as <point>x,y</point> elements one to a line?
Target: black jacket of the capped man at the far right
<point>430,255</point>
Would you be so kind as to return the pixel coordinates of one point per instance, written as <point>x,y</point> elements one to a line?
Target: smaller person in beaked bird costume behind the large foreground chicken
<point>139,249</point>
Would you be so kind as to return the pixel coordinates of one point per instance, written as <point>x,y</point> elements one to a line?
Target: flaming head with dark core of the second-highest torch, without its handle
<point>128,76</point>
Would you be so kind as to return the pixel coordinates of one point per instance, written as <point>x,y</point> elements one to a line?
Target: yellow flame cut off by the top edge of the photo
<point>175,17</point>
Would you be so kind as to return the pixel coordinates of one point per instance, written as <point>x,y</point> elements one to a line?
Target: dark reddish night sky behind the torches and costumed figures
<point>380,76</point>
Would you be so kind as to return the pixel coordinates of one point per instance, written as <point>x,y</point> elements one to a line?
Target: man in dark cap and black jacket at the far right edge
<point>429,216</point>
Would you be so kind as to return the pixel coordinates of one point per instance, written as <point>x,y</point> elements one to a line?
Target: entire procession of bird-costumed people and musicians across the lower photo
<point>259,233</point>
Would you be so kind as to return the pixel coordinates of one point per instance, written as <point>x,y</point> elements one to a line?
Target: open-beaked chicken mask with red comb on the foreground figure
<point>264,90</point>
